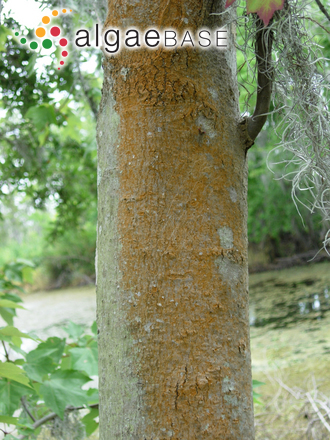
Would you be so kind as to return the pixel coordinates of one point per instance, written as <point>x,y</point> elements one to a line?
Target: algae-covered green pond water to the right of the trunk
<point>290,316</point>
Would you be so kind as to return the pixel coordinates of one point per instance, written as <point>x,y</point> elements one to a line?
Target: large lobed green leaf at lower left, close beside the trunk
<point>63,389</point>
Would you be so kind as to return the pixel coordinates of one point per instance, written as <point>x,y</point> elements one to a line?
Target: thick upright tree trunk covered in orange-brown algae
<point>172,280</point>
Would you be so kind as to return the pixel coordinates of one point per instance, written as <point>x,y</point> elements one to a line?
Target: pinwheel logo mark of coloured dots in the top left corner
<point>41,34</point>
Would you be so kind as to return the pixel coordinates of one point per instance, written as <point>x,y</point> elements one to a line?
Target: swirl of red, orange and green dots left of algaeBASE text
<point>48,35</point>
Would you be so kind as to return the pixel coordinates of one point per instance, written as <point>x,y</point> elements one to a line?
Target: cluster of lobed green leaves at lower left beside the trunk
<point>46,383</point>
